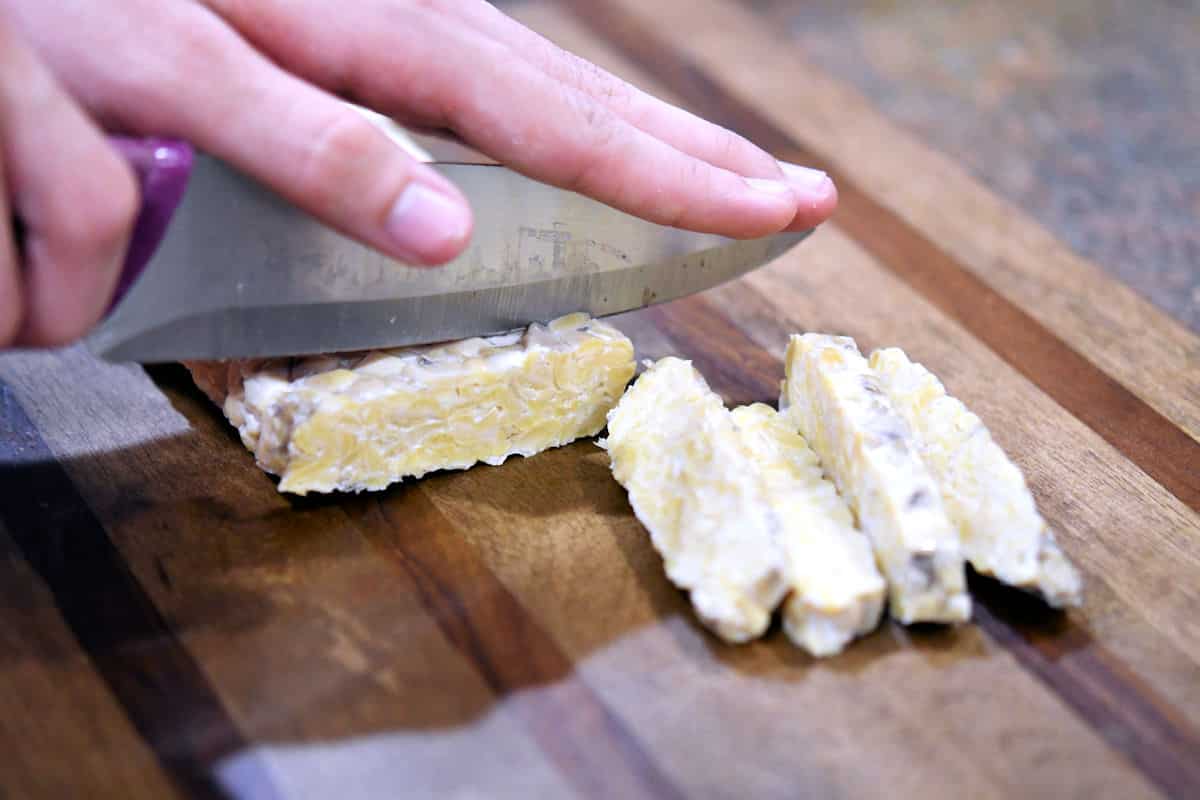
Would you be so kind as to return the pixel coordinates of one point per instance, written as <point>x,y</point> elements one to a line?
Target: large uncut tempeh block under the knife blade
<point>362,422</point>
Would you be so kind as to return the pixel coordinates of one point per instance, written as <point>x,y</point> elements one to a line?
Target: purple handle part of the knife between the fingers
<point>163,167</point>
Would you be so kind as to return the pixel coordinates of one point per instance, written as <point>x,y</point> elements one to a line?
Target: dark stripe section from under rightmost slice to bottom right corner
<point>1091,681</point>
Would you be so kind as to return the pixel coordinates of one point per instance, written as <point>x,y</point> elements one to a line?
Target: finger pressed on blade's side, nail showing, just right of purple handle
<point>199,81</point>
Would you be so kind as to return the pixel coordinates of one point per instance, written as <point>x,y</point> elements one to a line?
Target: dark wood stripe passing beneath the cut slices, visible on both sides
<point>1106,694</point>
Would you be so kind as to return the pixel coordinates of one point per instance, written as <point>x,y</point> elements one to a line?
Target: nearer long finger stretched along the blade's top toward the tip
<point>410,63</point>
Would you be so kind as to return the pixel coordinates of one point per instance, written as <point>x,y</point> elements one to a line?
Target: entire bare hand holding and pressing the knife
<point>259,85</point>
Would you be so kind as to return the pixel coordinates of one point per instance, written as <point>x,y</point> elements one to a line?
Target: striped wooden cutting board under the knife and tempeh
<point>172,627</point>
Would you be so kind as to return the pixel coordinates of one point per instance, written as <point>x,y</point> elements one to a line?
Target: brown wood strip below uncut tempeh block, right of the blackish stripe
<point>310,637</point>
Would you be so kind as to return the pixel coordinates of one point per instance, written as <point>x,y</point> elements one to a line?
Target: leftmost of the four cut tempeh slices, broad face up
<point>692,482</point>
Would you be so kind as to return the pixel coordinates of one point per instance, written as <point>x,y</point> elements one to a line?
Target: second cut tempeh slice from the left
<point>837,590</point>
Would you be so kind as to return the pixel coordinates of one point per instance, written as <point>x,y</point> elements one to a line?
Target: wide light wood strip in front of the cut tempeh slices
<point>766,713</point>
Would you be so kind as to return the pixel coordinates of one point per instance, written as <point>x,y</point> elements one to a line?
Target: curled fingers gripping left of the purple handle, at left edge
<point>76,201</point>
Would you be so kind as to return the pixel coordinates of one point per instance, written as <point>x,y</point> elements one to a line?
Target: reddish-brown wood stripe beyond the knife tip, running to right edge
<point>1148,438</point>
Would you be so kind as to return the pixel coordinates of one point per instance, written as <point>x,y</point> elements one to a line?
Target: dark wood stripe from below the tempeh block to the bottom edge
<point>586,742</point>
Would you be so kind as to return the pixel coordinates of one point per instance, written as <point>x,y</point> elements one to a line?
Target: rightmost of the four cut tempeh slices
<point>985,492</point>
